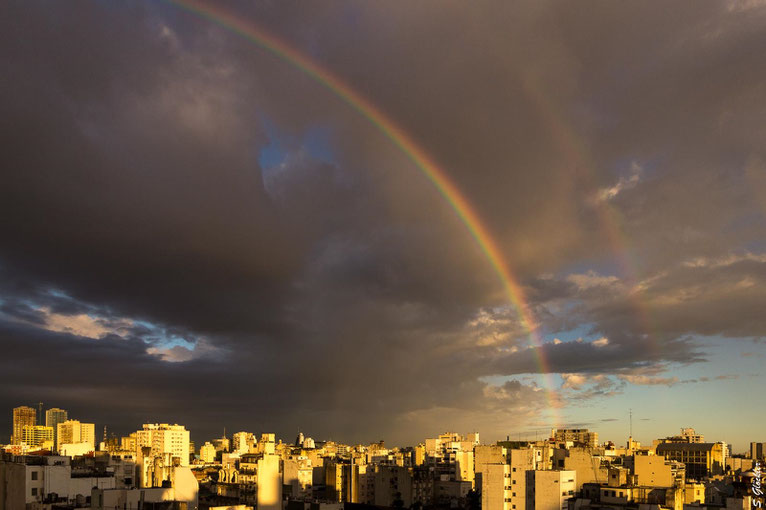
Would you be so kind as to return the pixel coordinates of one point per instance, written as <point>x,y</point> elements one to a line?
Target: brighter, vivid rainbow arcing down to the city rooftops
<point>409,147</point>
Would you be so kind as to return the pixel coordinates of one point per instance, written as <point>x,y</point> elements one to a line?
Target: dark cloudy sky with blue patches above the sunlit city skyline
<point>194,230</point>
